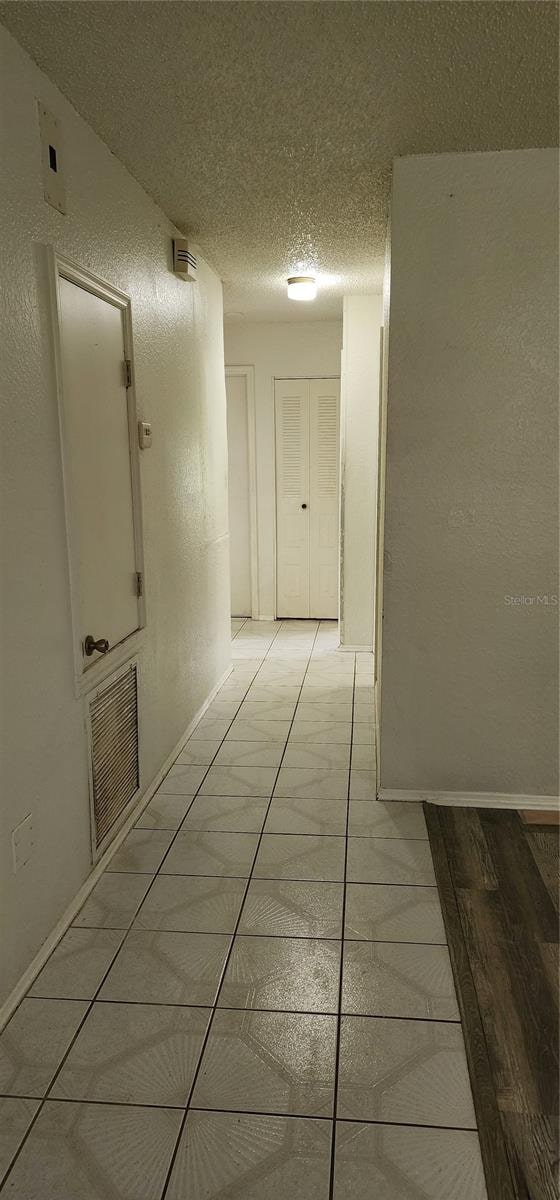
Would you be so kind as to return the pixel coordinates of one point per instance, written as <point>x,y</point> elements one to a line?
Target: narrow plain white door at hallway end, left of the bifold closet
<point>239,495</point>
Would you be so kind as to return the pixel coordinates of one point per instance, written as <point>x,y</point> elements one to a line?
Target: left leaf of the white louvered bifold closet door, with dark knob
<point>292,497</point>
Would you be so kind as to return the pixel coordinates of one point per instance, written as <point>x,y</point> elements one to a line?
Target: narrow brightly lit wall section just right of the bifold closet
<point>363,317</point>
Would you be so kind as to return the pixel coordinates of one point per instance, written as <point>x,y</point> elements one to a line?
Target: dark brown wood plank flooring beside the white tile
<point>498,879</point>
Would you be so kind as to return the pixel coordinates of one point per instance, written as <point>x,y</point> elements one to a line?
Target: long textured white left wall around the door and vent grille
<point>117,232</point>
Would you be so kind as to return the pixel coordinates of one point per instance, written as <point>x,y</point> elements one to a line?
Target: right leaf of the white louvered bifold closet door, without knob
<point>324,520</point>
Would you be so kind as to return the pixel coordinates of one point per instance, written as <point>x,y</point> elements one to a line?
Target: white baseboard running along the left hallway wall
<point>38,964</point>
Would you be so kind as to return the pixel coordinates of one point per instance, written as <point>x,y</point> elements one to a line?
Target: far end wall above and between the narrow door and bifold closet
<point>278,351</point>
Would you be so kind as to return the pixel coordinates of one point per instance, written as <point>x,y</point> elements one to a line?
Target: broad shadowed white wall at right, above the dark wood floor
<point>469,681</point>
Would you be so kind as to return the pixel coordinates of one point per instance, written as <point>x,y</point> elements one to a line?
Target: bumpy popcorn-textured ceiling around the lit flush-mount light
<point>267,130</point>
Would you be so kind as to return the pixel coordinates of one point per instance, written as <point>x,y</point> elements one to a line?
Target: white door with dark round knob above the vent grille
<point>98,436</point>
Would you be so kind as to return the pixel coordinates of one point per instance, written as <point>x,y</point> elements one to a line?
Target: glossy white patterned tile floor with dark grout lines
<point>256,1003</point>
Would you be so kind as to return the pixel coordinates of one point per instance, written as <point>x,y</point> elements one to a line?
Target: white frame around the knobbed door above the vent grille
<point>61,267</point>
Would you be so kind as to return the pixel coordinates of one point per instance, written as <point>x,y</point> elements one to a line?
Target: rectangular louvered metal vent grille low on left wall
<point>115,751</point>
